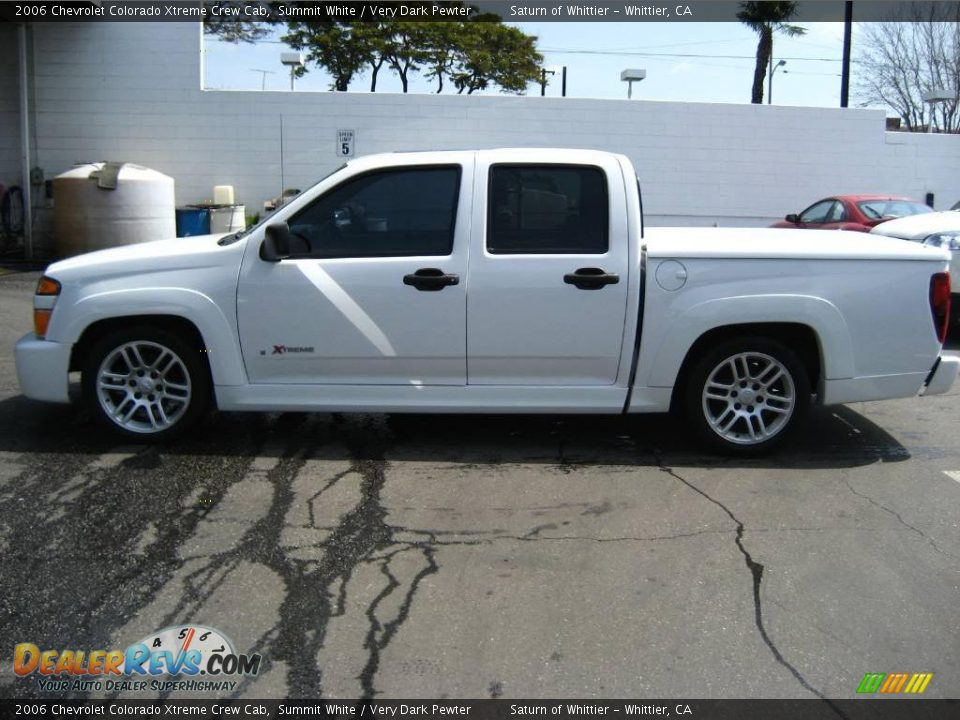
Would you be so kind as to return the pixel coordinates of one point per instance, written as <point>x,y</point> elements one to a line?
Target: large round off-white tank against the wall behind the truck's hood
<point>101,205</point>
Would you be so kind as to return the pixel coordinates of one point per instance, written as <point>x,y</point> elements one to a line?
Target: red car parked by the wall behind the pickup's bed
<point>853,212</point>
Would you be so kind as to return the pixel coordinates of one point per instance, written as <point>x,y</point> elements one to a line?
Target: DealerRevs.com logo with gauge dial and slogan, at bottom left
<point>205,657</point>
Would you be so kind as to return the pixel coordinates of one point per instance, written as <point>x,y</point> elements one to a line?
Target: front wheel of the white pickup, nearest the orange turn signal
<point>158,406</point>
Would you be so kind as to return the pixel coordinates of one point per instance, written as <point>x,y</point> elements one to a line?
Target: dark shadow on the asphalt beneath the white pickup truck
<point>835,437</point>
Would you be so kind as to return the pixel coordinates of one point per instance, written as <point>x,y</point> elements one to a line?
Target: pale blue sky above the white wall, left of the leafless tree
<point>701,62</point>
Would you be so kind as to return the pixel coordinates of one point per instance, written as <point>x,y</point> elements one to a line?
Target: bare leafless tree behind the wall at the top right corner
<point>914,52</point>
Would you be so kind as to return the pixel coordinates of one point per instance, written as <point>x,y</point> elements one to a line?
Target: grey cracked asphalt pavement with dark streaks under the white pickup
<point>488,556</point>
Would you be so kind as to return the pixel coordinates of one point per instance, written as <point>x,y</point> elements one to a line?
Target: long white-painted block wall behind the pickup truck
<point>125,91</point>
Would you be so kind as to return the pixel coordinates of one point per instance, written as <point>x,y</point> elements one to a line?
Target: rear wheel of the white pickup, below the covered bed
<point>760,423</point>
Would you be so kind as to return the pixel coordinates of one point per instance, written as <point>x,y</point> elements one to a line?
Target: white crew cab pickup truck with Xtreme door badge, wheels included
<point>495,281</point>
